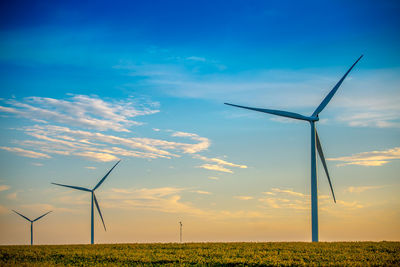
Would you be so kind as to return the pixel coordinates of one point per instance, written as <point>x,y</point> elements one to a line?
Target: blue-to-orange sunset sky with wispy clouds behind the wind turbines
<point>86,83</point>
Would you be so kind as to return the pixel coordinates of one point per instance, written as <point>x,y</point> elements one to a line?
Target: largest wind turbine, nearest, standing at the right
<point>315,143</point>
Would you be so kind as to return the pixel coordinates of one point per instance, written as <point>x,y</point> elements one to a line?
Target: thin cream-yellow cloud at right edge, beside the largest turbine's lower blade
<point>371,158</point>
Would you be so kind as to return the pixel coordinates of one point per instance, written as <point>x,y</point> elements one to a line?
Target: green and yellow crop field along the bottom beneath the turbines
<point>284,254</point>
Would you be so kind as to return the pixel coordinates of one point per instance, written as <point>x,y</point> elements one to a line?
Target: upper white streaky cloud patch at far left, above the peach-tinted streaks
<point>81,110</point>
